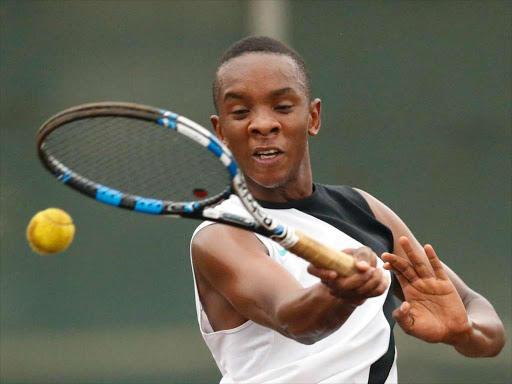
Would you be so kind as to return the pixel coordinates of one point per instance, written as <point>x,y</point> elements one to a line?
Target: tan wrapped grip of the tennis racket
<point>322,256</point>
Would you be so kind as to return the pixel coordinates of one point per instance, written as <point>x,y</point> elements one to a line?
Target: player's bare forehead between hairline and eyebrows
<point>258,71</point>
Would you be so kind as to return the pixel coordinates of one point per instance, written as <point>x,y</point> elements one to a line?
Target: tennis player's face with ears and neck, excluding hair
<point>265,118</point>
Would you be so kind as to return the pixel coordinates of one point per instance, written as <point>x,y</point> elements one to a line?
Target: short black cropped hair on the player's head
<point>262,44</point>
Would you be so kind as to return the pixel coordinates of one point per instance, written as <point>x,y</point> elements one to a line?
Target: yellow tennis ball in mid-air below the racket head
<point>50,231</point>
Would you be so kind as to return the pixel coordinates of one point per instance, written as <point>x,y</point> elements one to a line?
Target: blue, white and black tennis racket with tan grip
<point>153,161</point>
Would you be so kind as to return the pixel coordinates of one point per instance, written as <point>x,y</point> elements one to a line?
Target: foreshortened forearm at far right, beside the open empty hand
<point>486,335</point>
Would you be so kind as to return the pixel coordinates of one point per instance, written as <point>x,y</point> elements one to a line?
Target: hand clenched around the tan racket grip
<point>355,289</point>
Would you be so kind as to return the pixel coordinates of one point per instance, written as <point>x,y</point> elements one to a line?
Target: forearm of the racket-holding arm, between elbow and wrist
<point>312,314</point>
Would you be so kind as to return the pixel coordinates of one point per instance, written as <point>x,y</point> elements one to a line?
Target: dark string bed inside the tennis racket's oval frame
<point>138,157</point>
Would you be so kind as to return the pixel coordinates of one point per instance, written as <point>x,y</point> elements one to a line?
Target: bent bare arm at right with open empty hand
<point>438,306</point>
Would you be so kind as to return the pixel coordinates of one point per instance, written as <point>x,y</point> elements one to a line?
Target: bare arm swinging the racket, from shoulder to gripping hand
<point>234,265</point>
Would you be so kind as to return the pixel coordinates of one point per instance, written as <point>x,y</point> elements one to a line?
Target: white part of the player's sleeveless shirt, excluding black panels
<point>252,353</point>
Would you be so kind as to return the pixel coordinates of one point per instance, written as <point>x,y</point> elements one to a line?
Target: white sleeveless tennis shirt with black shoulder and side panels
<point>362,350</point>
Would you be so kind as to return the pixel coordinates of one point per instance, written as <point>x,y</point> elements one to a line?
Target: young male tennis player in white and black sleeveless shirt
<point>265,314</point>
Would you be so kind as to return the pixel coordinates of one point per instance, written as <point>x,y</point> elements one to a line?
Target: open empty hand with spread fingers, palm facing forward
<point>433,310</point>
